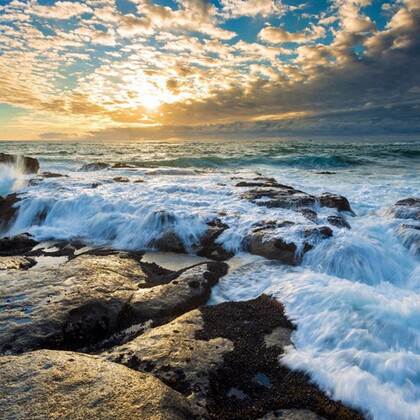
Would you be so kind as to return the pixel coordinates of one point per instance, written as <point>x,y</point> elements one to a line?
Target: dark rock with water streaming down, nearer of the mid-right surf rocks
<point>270,242</point>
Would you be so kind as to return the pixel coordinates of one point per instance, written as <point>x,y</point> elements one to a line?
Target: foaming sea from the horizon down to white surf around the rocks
<point>356,296</point>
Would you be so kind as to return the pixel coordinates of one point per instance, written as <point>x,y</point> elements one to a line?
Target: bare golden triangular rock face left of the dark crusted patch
<point>172,353</point>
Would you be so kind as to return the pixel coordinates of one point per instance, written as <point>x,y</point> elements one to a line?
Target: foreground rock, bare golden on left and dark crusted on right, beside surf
<point>226,360</point>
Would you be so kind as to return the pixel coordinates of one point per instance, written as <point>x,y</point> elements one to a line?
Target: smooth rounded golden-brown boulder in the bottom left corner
<point>56,384</point>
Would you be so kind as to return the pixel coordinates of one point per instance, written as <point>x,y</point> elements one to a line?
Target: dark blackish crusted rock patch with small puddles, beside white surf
<point>252,381</point>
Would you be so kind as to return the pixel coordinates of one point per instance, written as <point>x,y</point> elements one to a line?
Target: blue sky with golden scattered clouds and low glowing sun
<point>163,69</point>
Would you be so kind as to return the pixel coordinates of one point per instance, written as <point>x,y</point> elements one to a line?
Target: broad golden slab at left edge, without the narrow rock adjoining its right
<point>67,306</point>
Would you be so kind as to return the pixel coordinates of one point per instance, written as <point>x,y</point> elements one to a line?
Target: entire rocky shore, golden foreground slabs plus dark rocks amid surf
<point>102,333</point>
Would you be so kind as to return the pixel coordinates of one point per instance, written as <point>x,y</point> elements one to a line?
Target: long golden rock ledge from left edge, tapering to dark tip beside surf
<point>91,297</point>
